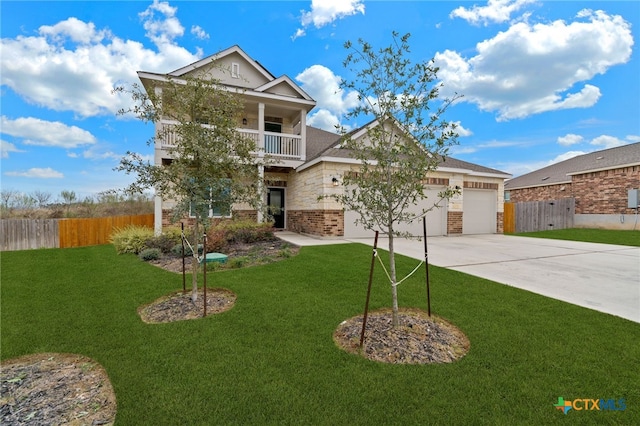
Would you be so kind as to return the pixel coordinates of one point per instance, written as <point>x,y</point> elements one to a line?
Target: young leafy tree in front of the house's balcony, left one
<point>212,165</point>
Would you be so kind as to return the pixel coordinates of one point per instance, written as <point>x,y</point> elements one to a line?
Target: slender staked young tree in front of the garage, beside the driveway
<point>405,141</point>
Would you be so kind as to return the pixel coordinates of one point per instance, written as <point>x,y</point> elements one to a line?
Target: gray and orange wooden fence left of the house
<point>23,234</point>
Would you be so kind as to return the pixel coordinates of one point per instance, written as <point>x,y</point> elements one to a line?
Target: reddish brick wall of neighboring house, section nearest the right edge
<point>605,192</point>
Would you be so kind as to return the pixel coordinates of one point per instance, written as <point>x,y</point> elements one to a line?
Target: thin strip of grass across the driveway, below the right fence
<point>605,236</point>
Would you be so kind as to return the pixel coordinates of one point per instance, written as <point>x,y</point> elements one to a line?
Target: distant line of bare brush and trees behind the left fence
<point>43,205</point>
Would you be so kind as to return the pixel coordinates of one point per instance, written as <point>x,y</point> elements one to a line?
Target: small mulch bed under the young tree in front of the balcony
<point>178,306</point>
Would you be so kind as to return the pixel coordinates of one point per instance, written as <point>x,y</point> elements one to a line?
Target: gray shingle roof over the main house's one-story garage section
<point>325,146</point>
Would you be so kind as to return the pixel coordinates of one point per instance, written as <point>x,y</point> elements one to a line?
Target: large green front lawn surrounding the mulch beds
<point>271,359</point>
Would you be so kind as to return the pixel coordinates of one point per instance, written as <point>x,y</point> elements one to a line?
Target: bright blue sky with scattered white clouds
<point>542,80</point>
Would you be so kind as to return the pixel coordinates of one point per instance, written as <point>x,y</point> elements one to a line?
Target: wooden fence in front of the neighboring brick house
<point>532,216</point>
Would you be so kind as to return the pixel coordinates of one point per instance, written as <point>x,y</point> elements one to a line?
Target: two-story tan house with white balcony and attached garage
<point>310,163</point>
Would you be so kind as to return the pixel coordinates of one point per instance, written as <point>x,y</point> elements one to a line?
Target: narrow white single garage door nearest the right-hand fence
<point>479,211</point>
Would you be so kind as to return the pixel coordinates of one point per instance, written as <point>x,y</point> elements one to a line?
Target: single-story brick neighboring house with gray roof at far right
<point>598,181</point>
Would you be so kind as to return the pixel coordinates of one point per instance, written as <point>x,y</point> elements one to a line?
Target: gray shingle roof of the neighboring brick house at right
<point>558,173</point>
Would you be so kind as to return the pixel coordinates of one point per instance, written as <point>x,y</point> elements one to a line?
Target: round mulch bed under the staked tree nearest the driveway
<point>419,339</point>
